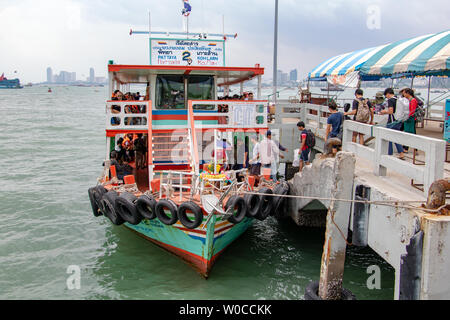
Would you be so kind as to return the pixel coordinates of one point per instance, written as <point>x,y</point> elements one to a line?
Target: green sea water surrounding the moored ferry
<point>51,151</point>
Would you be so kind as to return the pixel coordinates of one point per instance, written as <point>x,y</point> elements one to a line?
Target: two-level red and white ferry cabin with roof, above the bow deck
<point>181,117</point>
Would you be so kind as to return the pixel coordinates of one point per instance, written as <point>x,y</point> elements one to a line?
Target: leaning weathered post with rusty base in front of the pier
<point>333,256</point>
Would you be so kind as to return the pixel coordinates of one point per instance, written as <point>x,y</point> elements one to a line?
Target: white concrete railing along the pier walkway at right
<point>434,150</point>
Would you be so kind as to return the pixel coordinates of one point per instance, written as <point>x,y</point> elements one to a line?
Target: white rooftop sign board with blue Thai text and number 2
<point>187,52</point>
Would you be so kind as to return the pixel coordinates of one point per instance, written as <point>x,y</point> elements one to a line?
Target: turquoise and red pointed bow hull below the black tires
<point>199,248</point>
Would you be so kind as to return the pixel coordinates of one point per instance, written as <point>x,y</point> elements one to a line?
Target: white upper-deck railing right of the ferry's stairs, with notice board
<point>231,114</point>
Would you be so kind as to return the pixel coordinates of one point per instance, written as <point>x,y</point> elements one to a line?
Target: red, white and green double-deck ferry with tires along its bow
<point>182,194</point>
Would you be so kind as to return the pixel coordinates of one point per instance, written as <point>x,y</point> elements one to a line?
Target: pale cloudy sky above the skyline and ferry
<point>74,35</point>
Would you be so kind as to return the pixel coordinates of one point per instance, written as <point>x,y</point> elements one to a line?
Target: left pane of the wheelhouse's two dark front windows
<point>169,92</point>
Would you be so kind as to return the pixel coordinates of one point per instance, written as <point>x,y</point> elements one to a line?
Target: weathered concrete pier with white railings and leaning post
<point>415,243</point>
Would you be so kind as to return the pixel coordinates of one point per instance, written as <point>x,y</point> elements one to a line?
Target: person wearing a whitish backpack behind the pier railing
<point>395,111</point>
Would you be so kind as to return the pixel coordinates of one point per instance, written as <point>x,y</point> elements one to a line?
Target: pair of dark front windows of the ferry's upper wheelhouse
<point>170,91</point>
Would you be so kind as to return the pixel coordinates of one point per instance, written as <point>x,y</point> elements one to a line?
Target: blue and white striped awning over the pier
<point>418,55</point>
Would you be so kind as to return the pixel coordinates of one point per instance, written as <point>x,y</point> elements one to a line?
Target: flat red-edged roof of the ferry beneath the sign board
<point>225,75</point>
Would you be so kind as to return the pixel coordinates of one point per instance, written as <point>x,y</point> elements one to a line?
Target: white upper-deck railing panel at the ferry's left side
<point>131,115</point>
